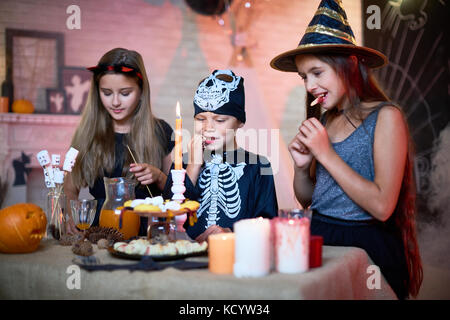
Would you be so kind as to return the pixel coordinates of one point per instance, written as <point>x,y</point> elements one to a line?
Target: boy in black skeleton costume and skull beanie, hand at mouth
<point>229,182</point>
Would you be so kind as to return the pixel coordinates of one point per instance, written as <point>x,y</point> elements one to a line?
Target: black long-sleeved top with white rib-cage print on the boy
<point>241,186</point>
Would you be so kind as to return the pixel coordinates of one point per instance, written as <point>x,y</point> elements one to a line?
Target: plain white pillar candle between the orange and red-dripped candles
<point>252,248</point>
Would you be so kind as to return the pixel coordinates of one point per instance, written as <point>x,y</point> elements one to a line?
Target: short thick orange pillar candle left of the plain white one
<point>221,253</point>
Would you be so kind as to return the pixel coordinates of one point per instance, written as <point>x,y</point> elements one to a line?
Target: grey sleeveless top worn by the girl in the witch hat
<point>357,151</point>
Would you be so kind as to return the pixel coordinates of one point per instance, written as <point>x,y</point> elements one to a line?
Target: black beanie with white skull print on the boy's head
<point>221,94</point>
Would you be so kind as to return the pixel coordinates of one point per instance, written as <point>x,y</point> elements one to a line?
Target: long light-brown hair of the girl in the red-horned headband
<point>94,137</point>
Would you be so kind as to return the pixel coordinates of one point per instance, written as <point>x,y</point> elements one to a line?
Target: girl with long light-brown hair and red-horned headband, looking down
<point>118,114</point>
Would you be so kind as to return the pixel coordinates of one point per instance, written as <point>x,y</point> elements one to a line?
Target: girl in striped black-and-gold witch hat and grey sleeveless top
<point>352,155</point>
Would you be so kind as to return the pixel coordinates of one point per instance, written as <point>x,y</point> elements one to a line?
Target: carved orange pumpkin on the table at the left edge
<point>22,226</point>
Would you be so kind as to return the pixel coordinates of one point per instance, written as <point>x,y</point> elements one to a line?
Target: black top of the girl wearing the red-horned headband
<point>98,189</point>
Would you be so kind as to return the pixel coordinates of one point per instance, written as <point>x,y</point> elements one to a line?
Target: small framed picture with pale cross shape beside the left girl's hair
<point>76,82</point>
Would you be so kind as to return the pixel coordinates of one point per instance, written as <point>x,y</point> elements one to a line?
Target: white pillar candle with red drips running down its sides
<point>291,244</point>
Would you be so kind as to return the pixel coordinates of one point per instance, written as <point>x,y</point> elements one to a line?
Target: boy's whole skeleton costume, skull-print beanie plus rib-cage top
<point>234,185</point>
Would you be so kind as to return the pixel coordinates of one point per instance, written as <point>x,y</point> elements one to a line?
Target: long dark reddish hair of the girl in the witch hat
<point>361,86</point>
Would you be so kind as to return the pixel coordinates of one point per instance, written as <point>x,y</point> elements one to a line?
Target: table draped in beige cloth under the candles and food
<point>44,274</point>
